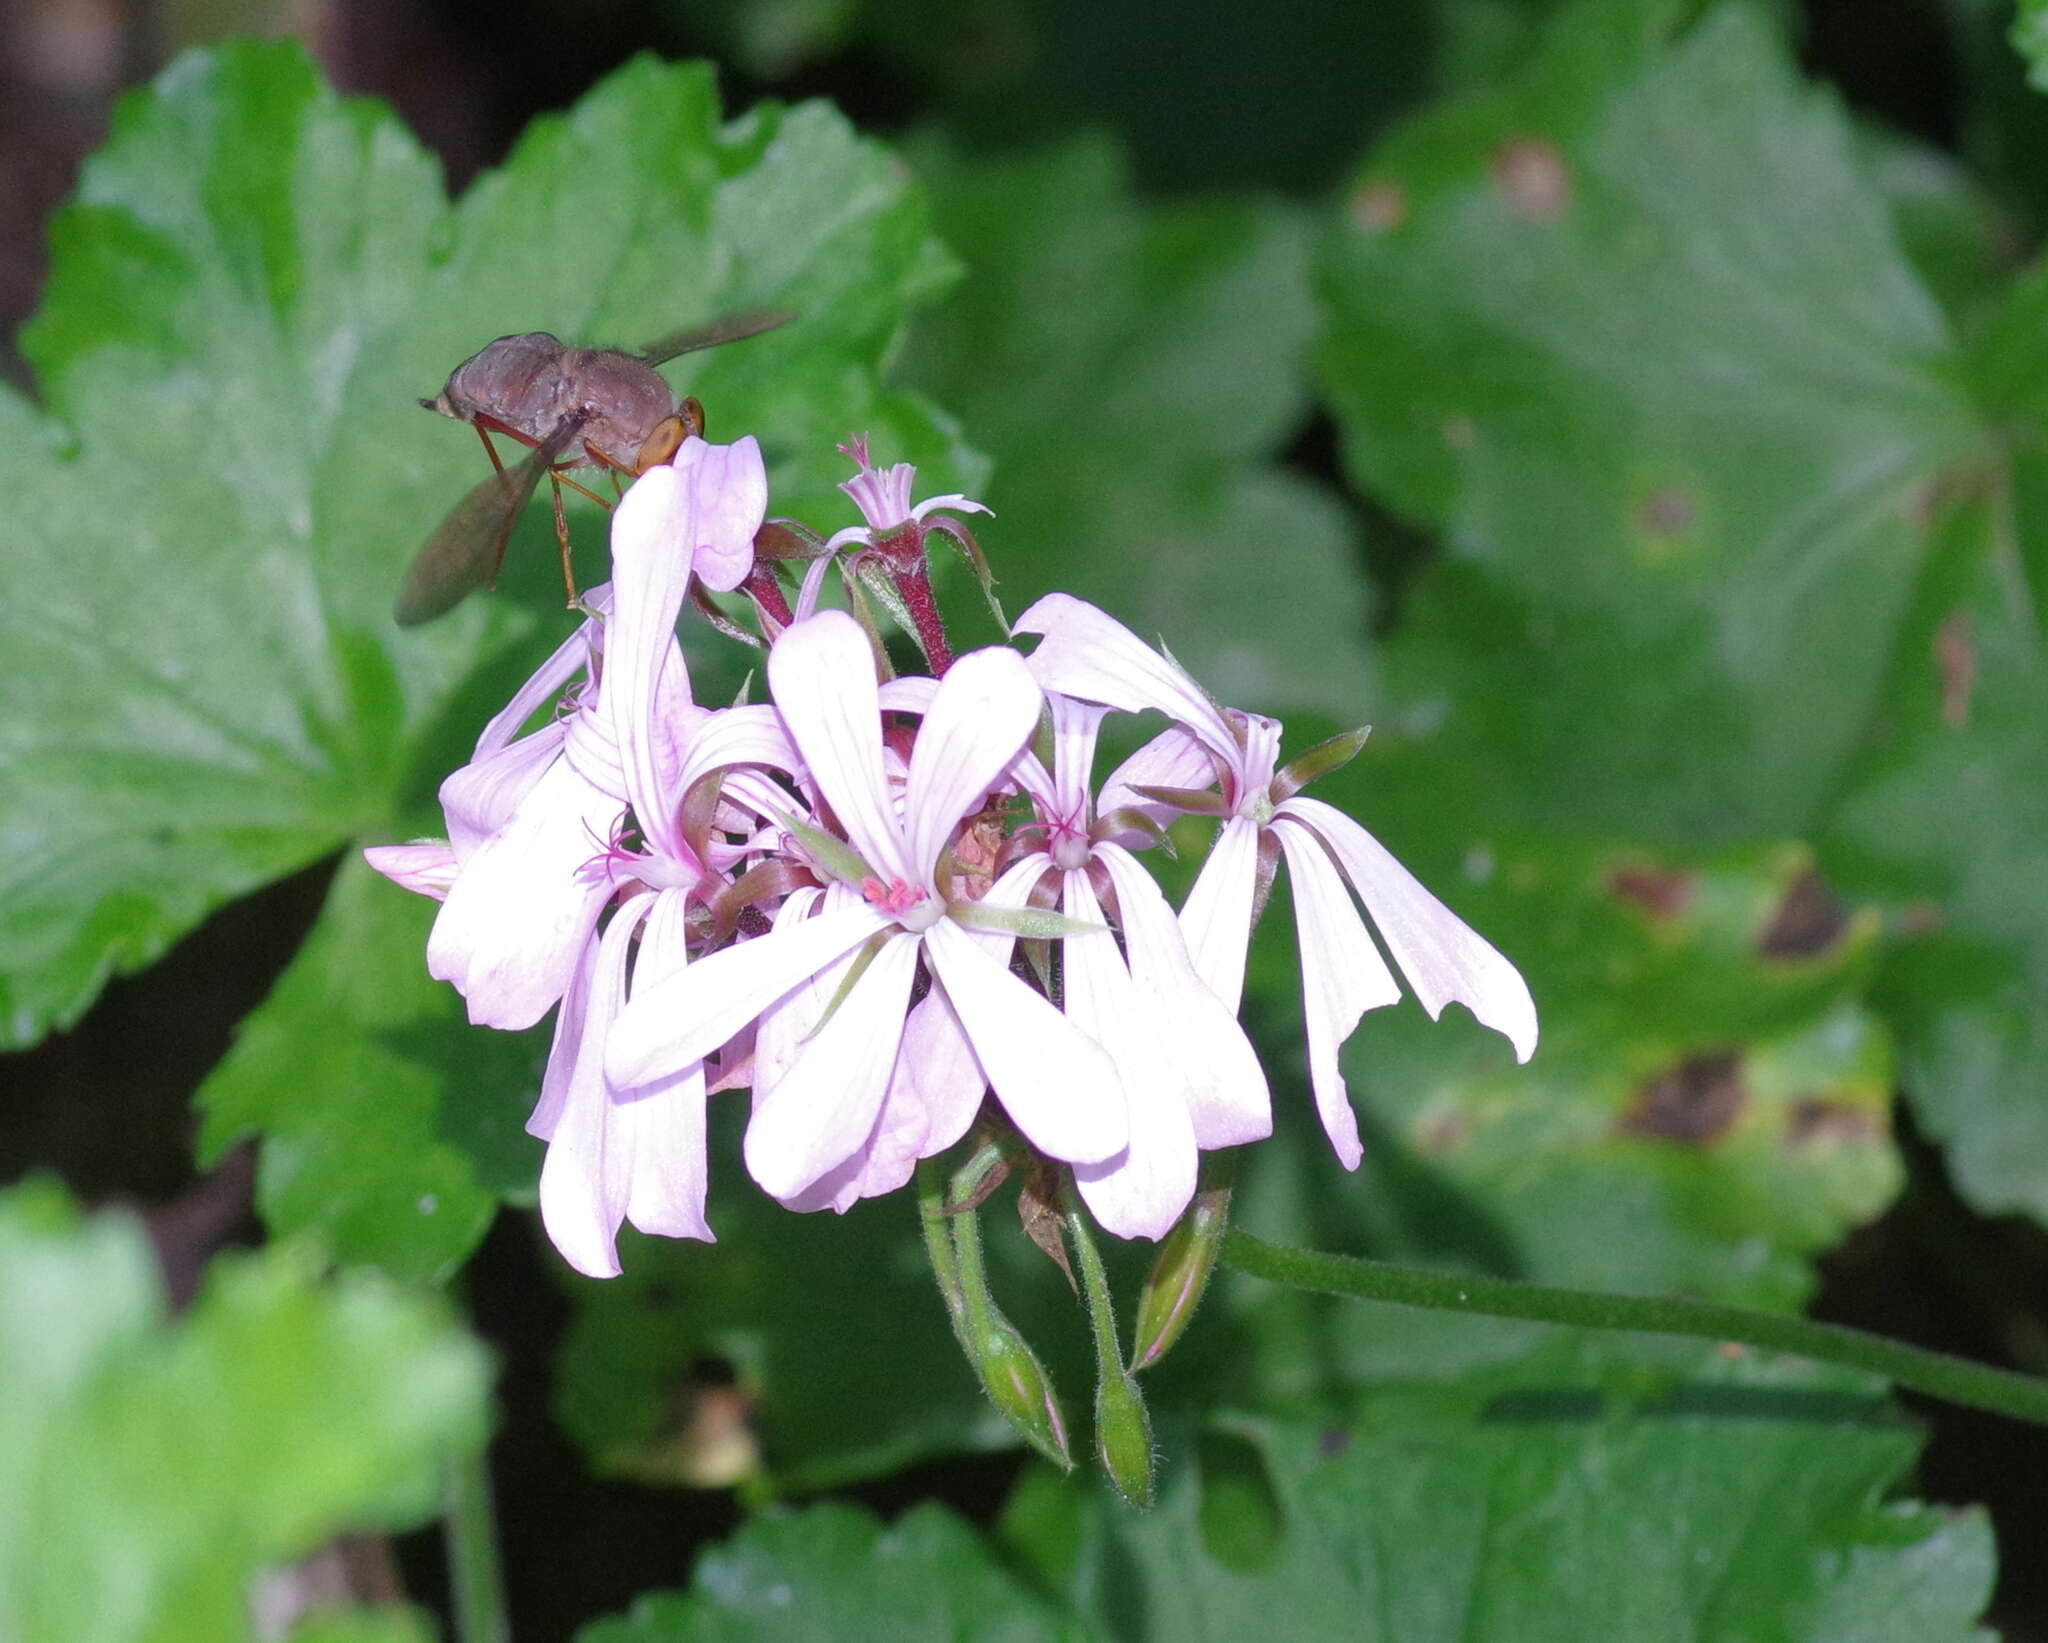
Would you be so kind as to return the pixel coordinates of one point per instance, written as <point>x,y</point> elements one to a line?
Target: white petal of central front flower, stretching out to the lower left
<point>685,1017</point>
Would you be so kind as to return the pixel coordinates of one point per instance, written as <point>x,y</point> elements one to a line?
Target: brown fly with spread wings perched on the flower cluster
<point>603,409</point>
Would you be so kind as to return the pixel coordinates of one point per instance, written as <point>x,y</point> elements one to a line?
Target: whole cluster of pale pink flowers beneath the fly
<point>880,902</point>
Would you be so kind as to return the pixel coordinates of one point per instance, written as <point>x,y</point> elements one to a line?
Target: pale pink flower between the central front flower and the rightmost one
<point>1191,1075</point>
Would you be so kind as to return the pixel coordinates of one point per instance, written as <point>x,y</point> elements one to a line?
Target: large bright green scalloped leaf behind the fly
<point>249,294</point>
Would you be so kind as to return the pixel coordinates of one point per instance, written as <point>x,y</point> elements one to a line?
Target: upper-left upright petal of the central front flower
<point>822,673</point>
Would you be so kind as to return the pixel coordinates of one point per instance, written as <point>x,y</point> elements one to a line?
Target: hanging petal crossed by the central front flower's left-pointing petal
<point>663,1124</point>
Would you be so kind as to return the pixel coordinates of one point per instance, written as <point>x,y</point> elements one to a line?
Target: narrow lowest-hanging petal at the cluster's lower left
<point>585,1179</point>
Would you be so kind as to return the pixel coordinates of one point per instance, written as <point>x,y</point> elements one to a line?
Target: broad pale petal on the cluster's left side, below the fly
<point>521,909</point>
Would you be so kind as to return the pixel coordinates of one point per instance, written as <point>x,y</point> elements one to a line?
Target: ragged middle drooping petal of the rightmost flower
<point>1342,976</point>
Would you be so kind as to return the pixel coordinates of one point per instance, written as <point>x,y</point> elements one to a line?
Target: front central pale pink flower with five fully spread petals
<point>824,1107</point>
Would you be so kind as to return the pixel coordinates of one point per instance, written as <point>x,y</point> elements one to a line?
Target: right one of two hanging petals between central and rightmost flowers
<point>1226,1087</point>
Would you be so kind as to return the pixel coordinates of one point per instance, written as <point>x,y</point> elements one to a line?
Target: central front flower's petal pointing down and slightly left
<point>824,1107</point>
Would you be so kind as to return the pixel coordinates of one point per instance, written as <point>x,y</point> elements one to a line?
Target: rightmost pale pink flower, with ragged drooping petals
<point>1089,655</point>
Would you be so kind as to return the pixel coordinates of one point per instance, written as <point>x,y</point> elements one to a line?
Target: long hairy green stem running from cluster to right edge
<point>1934,1374</point>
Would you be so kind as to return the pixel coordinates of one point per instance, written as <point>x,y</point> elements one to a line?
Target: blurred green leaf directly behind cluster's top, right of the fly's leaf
<point>1138,370</point>
